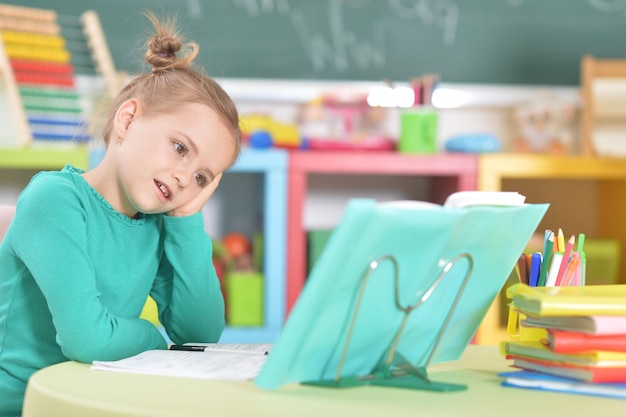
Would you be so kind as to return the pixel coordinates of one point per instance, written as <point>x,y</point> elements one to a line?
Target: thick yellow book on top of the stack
<point>589,300</point>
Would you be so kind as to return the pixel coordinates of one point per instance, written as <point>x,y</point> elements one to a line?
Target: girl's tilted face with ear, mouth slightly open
<point>164,161</point>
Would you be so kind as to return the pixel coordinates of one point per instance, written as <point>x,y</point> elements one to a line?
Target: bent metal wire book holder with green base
<point>393,369</point>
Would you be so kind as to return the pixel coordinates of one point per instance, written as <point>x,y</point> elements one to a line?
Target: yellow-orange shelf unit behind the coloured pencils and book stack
<point>586,194</point>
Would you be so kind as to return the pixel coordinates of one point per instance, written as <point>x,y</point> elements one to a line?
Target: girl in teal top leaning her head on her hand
<point>86,248</point>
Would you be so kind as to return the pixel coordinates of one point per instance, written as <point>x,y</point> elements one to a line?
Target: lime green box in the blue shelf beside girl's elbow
<point>245,299</point>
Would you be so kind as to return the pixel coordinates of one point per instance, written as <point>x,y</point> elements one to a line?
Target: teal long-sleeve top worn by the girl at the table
<point>75,275</point>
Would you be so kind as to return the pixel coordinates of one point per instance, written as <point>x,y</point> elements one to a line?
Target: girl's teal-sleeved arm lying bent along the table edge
<point>50,236</point>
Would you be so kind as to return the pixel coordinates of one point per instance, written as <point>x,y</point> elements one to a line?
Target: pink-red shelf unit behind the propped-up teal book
<point>438,175</point>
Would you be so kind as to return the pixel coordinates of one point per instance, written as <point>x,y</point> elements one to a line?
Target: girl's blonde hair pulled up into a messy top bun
<point>173,82</point>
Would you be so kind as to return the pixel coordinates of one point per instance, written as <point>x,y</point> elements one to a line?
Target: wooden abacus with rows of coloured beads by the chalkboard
<point>39,71</point>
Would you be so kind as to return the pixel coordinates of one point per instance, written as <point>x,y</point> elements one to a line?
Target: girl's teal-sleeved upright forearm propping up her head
<point>187,289</point>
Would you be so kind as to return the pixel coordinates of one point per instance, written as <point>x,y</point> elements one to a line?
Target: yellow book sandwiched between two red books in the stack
<point>536,350</point>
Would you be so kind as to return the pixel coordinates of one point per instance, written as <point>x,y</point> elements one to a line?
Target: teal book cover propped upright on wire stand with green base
<point>399,287</point>
